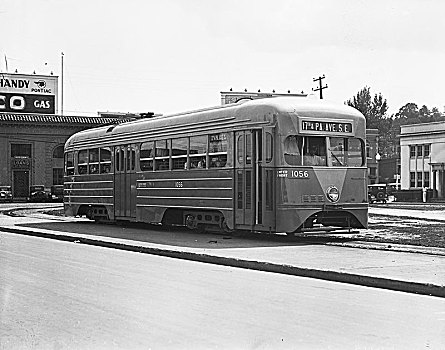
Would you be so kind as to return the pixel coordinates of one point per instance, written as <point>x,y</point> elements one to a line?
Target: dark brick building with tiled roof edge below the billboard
<point>32,148</point>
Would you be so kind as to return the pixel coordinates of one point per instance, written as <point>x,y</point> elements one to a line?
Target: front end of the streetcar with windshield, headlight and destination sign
<point>322,175</point>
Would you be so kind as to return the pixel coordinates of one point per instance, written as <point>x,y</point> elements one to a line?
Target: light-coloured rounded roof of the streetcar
<point>300,106</point>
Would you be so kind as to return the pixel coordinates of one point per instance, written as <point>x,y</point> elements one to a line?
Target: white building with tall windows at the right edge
<point>422,157</point>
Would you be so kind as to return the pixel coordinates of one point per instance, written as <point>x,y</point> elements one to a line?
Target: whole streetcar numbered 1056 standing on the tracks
<point>277,165</point>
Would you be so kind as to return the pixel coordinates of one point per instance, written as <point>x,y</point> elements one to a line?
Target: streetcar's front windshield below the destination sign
<point>323,151</point>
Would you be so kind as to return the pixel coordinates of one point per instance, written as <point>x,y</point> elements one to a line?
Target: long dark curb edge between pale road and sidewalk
<point>333,276</point>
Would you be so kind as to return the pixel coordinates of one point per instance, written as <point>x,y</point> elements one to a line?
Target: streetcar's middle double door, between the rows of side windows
<point>125,181</point>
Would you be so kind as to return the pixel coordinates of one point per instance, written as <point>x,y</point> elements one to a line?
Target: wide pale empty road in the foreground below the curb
<point>60,295</point>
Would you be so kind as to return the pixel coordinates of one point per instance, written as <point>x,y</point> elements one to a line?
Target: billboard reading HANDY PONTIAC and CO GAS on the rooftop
<point>20,93</point>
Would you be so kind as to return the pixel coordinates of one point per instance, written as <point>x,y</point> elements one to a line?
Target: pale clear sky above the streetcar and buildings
<point>168,56</point>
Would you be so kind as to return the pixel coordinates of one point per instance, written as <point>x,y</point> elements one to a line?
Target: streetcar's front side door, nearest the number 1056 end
<point>248,189</point>
